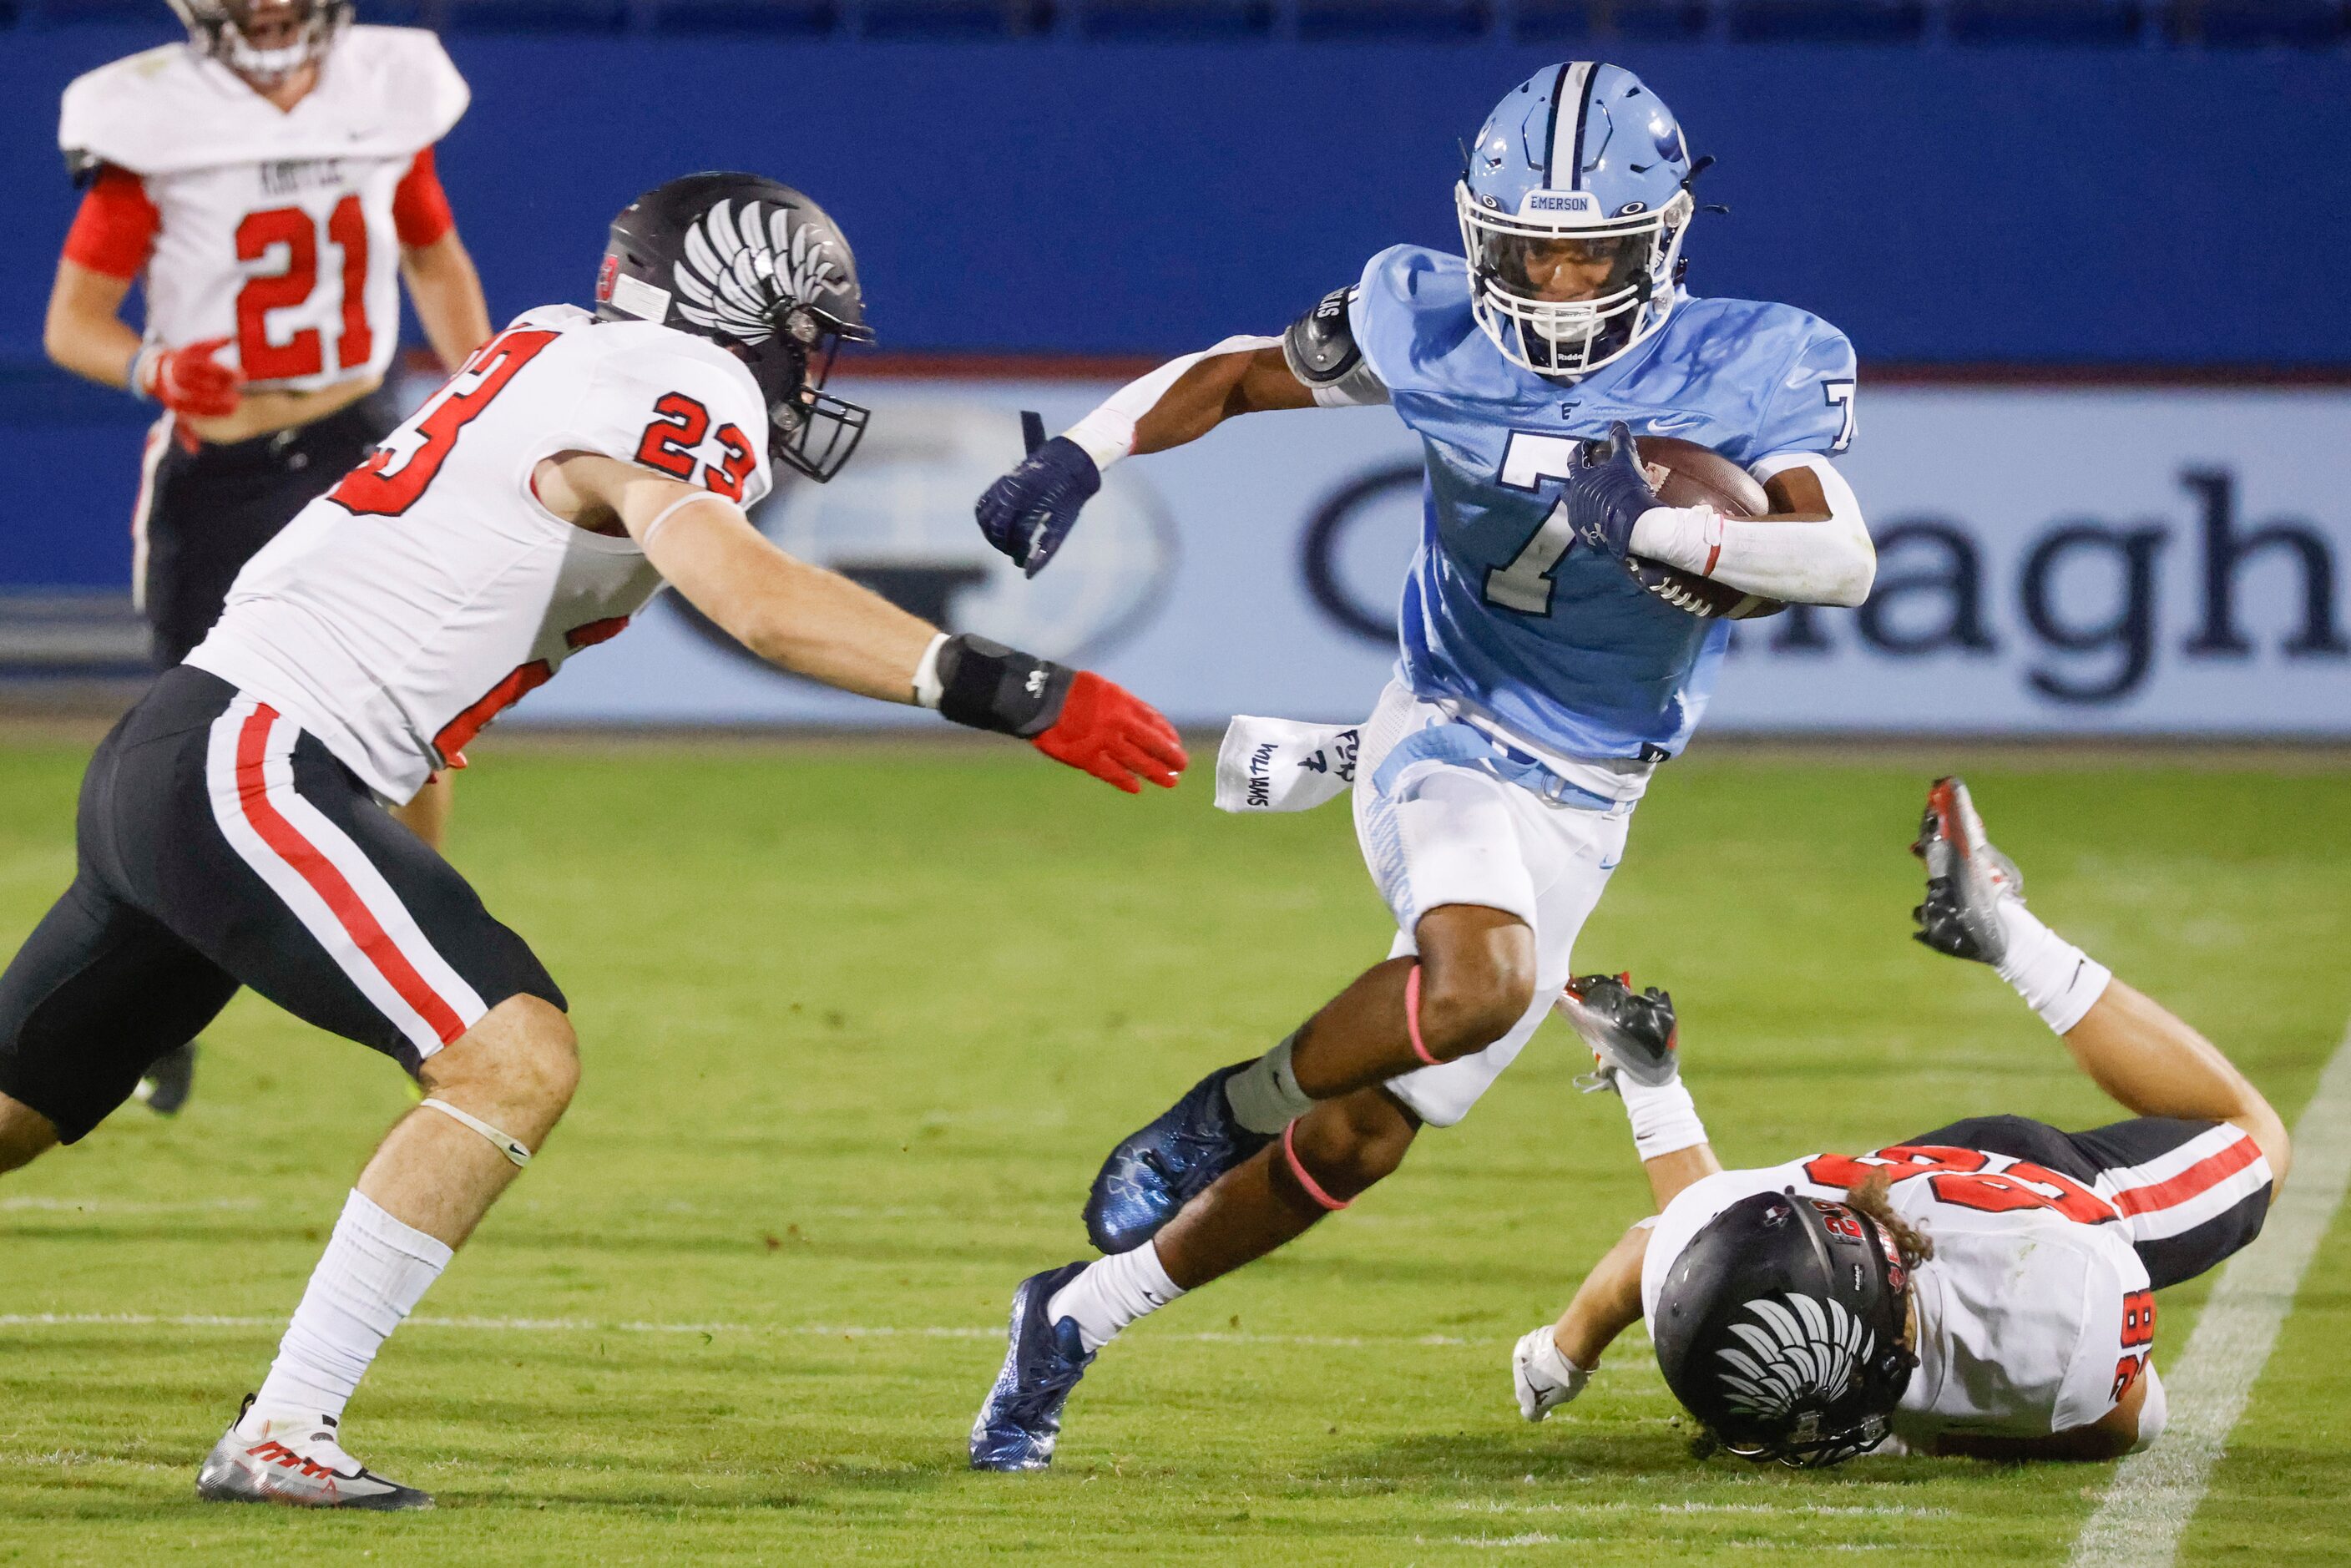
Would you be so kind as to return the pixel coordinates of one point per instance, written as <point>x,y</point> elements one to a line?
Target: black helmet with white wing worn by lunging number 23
<point>761,269</point>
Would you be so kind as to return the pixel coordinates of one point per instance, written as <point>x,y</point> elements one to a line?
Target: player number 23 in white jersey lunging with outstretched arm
<point>229,826</point>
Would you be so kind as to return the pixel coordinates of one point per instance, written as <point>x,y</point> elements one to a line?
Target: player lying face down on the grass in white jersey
<point>1983,1289</point>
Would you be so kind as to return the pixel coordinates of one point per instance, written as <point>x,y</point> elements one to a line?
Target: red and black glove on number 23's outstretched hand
<point>1071,716</point>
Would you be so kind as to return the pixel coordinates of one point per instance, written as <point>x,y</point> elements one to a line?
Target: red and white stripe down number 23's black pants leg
<point>328,880</point>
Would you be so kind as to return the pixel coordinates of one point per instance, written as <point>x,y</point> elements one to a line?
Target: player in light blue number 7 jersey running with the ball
<point>1539,683</point>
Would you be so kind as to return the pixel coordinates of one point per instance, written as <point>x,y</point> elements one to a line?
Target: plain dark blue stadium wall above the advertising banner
<point>1943,206</point>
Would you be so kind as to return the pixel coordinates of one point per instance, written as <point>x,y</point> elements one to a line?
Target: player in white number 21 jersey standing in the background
<point>267,185</point>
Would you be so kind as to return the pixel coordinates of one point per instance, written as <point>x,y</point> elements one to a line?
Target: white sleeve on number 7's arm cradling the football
<point>1804,563</point>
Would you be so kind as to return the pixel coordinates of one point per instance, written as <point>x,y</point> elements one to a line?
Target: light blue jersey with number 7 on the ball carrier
<point>1565,648</point>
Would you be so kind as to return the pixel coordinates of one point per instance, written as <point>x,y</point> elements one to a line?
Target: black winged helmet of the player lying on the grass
<point>1781,1327</point>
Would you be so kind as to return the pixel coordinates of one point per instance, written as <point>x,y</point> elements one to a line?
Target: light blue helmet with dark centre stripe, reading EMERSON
<point>1579,185</point>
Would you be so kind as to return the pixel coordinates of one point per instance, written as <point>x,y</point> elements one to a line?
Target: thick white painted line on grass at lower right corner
<point>2157,1492</point>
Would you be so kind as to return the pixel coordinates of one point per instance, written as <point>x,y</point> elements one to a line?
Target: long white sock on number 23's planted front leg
<point>373,1275</point>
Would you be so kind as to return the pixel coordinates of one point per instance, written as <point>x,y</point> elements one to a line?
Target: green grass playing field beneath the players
<point>857,1028</point>
